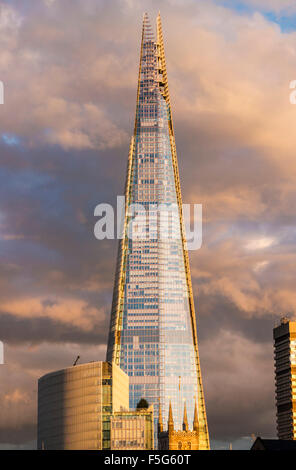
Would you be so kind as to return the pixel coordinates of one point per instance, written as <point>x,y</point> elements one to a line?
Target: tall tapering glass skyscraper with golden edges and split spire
<point>153,335</point>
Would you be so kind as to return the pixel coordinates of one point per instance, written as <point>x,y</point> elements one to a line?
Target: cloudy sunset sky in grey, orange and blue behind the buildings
<point>69,69</point>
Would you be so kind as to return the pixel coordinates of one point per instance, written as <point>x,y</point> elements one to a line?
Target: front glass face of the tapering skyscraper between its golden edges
<point>157,347</point>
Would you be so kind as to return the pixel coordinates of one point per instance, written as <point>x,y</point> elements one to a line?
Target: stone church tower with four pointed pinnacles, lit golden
<point>173,439</point>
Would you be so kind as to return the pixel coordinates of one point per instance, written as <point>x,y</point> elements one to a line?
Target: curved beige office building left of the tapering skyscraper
<point>75,405</point>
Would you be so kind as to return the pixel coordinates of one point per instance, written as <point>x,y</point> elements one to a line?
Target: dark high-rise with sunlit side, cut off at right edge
<point>285,378</point>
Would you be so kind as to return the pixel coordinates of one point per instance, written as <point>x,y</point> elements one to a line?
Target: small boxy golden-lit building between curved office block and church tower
<point>132,430</point>
